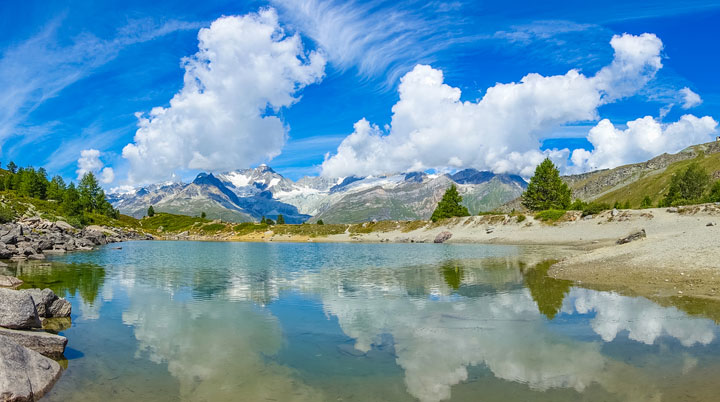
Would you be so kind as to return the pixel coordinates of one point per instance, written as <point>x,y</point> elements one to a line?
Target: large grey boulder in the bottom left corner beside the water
<point>25,375</point>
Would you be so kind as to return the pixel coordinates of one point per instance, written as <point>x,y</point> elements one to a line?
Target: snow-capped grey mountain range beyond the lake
<point>250,194</point>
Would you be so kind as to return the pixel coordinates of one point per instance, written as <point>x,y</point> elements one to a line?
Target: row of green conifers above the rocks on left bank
<point>75,201</point>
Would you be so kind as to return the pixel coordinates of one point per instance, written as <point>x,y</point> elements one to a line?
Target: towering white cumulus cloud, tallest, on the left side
<point>245,70</point>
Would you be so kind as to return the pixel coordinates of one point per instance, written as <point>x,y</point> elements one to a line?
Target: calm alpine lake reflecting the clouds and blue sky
<point>223,321</point>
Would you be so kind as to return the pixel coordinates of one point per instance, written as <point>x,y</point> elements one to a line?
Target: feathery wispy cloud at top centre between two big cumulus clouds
<point>377,39</point>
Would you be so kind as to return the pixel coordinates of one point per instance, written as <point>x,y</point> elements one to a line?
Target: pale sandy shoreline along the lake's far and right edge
<point>679,257</point>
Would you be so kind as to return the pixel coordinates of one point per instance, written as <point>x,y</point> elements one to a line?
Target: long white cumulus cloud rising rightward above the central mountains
<point>432,128</point>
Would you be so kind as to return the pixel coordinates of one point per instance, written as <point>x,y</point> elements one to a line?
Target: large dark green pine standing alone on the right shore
<point>546,189</point>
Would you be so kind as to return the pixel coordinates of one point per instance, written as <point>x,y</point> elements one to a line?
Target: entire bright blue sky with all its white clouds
<point>143,92</point>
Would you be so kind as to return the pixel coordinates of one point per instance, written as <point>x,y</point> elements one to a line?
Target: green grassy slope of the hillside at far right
<point>656,184</point>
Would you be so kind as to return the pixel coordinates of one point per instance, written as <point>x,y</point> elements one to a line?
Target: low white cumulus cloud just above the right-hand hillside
<point>643,139</point>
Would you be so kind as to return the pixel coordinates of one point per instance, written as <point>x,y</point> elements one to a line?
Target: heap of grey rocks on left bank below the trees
<point>32,238</point>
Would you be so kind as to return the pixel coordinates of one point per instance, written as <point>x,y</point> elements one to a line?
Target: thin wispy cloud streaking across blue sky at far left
<point>40,67</point>
